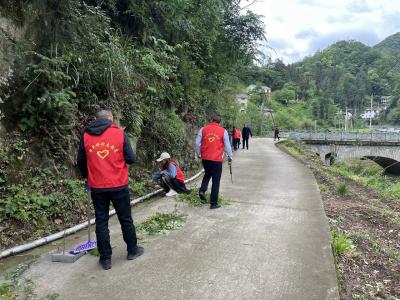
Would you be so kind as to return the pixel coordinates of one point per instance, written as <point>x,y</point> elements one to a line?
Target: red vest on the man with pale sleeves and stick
<point>212,142</point>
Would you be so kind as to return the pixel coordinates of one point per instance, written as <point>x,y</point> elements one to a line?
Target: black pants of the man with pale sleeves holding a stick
<point>212,170</point>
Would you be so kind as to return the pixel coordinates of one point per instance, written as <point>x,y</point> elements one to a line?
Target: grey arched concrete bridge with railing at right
<point>382,148</point>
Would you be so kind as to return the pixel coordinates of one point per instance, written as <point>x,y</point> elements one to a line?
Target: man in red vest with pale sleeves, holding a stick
<point>210,143</point>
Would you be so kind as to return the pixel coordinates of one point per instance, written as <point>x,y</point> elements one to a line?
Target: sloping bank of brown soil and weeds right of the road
<point>364,215</point>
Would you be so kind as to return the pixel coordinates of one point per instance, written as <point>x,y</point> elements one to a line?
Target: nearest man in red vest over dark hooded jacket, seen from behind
<point>103,155</point>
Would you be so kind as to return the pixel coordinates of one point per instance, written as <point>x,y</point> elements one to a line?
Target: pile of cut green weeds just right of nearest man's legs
<point>161,223</point>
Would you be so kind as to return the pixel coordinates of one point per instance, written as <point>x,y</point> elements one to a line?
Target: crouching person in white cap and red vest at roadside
<point>172,178</point>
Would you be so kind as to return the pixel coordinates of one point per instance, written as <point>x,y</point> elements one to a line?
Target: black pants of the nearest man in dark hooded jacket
<point>121,202</point>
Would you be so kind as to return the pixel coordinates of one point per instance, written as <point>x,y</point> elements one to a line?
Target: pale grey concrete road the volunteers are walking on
<point>272,243</point>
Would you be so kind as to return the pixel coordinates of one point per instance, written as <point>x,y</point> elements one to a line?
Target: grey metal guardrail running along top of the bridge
<point>343,136</point>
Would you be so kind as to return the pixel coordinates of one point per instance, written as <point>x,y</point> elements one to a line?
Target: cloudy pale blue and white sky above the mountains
<point>298,28</point>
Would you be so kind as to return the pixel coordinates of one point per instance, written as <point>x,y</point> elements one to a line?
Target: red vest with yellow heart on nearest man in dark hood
<point>105,159</point>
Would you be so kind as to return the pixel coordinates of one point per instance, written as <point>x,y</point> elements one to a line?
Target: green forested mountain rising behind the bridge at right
<point>345,75</point>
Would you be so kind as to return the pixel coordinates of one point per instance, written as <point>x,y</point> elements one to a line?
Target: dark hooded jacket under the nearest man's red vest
<point>97,128</point>
